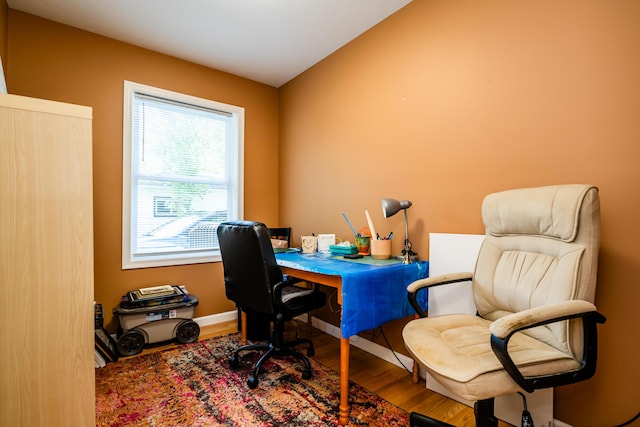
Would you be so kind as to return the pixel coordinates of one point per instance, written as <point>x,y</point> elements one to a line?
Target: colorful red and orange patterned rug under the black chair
<point>193,385</point>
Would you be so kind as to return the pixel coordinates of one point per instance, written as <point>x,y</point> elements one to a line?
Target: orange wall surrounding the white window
<point>57,62</point>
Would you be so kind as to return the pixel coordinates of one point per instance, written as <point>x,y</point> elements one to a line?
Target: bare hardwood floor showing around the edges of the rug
<point>385,379</point>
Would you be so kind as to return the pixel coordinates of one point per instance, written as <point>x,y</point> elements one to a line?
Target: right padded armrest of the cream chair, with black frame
<point>504,328</point>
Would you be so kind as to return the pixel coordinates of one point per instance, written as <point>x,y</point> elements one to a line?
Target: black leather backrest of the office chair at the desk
<point>250,268</point>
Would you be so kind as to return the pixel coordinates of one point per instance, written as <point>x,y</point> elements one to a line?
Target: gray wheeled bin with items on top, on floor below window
<point>151,321</point>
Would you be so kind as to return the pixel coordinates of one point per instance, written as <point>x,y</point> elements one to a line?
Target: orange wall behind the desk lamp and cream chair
<point>447,101</point>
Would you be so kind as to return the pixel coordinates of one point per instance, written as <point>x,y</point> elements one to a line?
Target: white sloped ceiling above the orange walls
<point>269,41</point>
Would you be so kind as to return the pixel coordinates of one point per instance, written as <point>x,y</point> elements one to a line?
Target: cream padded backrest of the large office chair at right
<point>541,247</point>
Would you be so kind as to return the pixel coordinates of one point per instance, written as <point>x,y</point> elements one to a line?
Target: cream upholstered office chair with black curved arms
<point>534,286</point>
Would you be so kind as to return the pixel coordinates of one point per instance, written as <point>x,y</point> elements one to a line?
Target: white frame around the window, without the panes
<point>235,197</point>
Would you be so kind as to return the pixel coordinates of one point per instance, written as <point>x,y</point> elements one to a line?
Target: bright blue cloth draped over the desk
<point>371,294</point>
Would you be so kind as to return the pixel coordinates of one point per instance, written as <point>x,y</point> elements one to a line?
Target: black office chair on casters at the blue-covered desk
<point>254,281</point>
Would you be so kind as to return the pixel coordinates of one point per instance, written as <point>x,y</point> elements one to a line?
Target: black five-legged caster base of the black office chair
<point>277,347</point>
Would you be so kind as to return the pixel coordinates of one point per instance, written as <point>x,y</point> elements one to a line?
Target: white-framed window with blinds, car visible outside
<point>182,176</point>
